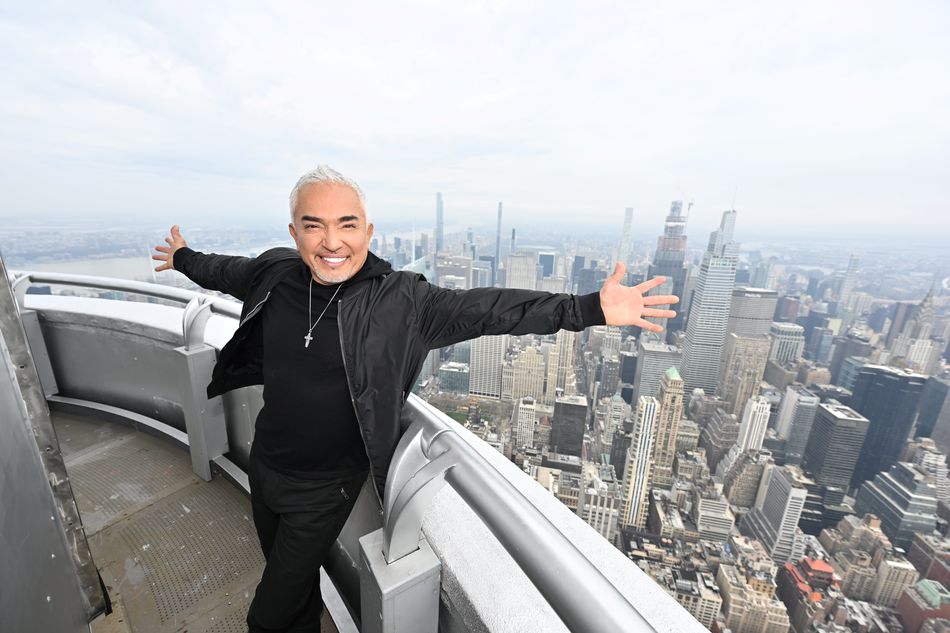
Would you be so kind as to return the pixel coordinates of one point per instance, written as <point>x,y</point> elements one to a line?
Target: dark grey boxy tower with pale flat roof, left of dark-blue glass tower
<point>837,435</point>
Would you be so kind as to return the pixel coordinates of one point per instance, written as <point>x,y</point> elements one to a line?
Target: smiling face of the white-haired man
<point>331,231</point>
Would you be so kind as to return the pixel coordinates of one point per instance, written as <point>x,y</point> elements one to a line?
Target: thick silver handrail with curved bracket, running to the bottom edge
<point>431,454</point>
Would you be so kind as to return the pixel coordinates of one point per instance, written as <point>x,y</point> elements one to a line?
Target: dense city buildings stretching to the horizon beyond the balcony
<point>726,498</point>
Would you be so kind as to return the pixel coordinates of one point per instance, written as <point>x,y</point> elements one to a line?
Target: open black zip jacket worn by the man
<point>387,326</point>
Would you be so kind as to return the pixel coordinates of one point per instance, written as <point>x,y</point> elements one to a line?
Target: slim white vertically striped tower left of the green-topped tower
<point>638,469</point>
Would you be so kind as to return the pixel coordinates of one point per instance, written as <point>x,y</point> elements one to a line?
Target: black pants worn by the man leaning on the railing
<point>297,521</point>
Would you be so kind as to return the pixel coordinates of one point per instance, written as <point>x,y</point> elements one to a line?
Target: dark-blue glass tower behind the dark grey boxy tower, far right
<point>888,397</point>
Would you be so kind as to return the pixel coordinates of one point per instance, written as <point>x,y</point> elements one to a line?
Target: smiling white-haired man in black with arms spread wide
<point>337,339</point>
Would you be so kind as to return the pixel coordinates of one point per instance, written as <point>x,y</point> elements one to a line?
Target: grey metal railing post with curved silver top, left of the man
<point>204,418</point>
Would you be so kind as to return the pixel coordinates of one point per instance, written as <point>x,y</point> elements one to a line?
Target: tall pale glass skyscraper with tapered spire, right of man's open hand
<point>709,312</point>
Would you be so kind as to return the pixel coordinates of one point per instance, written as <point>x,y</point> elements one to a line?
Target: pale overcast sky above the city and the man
<point>797,113</point>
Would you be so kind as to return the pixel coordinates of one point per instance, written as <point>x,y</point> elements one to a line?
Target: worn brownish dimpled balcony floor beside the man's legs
<point>177,554</point>
